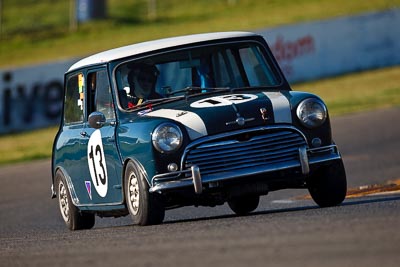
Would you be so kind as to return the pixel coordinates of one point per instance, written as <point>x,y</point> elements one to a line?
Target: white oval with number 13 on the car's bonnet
<point>224,100</point>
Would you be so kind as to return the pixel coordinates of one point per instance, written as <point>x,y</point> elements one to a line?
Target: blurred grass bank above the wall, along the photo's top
<point>34,31</point>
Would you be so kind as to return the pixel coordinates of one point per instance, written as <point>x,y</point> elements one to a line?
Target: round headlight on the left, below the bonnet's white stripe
<point>167,137</point>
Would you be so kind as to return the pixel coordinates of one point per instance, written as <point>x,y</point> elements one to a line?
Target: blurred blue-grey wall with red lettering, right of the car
<point>326,48</point>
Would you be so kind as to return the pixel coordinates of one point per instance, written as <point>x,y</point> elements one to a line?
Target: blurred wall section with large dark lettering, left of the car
<point>31,97</point>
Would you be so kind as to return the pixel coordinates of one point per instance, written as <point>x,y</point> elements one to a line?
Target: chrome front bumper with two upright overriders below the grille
<point>192,177</point>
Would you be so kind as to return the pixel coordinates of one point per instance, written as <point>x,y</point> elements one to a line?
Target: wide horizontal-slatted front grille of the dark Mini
<point>245,150</point>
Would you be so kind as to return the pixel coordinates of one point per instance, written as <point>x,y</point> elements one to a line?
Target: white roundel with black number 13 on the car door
<point>97,163</point>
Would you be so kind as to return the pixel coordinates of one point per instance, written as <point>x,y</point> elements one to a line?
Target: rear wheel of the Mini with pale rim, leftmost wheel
<point>72,216</point>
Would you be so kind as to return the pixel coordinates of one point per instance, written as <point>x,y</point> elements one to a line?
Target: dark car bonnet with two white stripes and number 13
<point>226,112</point>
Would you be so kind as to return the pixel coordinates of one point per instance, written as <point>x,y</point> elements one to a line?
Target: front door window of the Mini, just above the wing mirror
<point>99,92</point>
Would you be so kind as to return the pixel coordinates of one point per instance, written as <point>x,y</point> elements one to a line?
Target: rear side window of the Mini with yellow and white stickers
<point>74,97</point>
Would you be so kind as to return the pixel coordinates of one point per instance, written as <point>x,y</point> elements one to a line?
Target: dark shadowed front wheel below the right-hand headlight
<point>328,186</point>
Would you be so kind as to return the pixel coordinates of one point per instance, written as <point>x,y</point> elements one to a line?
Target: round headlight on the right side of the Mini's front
<point>312,112</point>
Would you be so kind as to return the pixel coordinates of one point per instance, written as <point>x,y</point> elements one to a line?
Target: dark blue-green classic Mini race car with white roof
<point>193,120</point>
